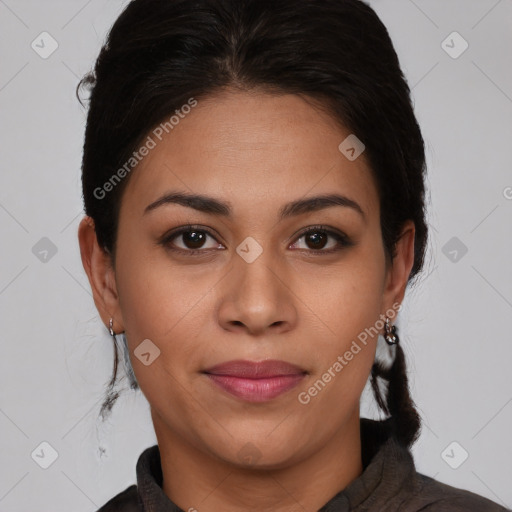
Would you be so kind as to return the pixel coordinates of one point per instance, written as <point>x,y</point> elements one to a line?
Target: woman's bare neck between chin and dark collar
<point>194,479</point>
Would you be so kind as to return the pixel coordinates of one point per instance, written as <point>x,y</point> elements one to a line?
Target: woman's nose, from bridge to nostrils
<point>257,298</point>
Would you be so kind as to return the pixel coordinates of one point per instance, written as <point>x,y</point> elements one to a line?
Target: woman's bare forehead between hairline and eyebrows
<point>256,150</point>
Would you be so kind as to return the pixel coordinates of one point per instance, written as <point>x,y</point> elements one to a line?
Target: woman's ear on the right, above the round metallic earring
<point>399,269</point>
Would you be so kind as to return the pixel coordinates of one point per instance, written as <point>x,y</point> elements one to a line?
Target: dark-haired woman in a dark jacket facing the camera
<point>253,179</point>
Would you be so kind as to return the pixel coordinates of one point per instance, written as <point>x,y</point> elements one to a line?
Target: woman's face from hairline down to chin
<point>255,280</point>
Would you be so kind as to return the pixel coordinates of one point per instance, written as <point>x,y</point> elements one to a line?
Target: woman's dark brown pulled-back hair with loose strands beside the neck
<point>160,53</point>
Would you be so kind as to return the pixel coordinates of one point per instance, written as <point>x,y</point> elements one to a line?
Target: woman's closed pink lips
<point>256,381</point>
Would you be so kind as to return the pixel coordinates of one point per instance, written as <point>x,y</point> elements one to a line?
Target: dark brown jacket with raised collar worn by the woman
<point>389,483</point>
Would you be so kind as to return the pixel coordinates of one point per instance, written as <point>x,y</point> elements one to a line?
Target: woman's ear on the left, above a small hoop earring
<point>99,266</point>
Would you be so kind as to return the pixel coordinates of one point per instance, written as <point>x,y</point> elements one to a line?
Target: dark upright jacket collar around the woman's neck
<point>388,468</point>
